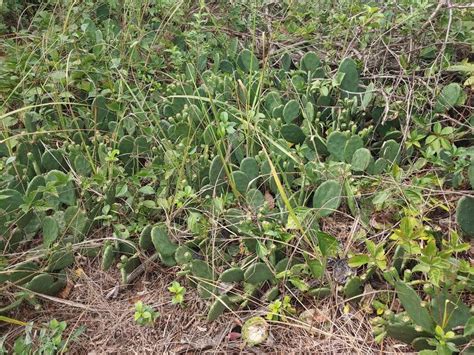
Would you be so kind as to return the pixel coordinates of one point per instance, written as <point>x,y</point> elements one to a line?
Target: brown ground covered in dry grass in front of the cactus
<point>110,328</point>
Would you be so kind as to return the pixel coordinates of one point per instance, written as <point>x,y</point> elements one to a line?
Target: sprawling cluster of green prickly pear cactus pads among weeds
<point>220,174</point>
